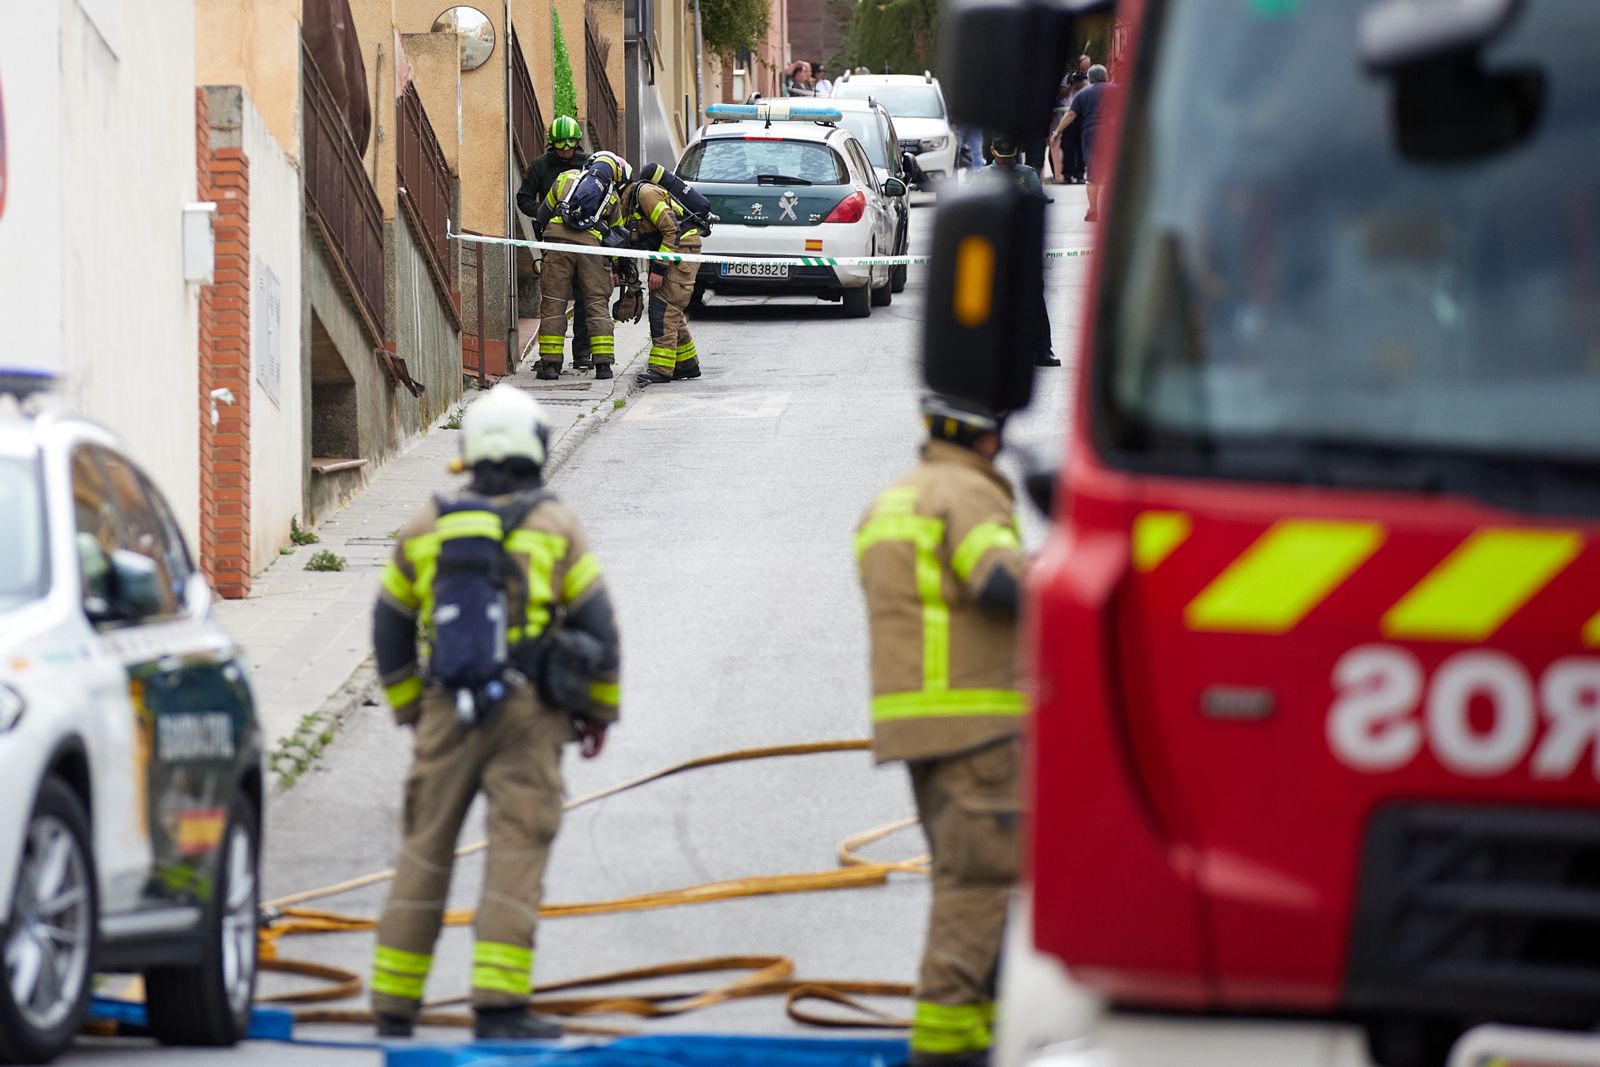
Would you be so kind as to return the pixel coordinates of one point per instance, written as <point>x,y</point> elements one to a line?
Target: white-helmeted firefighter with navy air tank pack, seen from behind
<point>522,657</point>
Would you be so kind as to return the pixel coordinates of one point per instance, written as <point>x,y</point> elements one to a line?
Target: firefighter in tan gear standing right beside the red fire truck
<point>942,567</point>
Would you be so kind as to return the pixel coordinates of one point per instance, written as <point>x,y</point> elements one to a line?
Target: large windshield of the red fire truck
<point>1281,279</point>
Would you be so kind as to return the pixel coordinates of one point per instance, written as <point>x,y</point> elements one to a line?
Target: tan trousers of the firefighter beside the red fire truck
<point>969,810</point>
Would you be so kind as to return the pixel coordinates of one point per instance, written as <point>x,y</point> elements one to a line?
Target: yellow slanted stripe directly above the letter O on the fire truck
<point>1486,581</point>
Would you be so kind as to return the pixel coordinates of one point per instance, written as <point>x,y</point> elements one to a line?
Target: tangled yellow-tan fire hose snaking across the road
<point>761,975</point>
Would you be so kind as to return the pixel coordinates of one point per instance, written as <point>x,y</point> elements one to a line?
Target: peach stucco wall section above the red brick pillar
<point>254,44</point>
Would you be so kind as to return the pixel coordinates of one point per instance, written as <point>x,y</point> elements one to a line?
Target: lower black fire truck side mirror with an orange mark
<point>982,327</point>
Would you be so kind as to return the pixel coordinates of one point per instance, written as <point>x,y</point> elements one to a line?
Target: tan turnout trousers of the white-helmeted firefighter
<point>516,761</point>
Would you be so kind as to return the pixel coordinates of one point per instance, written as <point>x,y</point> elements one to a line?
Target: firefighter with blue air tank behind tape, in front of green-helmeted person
<point>590,225</point>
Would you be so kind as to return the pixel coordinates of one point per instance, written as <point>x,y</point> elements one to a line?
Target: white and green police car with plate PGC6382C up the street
<point>788,180</point>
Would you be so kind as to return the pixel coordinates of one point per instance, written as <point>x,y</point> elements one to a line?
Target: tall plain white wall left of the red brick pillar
<point>129,322</point>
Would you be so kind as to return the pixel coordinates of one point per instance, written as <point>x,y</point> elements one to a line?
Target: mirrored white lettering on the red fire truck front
<point>1481,713</point>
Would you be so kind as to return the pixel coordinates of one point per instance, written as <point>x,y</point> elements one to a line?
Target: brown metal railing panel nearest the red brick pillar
<point>342,201</point>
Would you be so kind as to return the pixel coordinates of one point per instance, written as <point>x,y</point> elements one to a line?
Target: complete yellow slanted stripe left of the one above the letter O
<point>1278,581</point>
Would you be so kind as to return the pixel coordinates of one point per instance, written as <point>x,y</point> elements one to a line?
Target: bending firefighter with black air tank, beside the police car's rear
<point>662,223</point>
